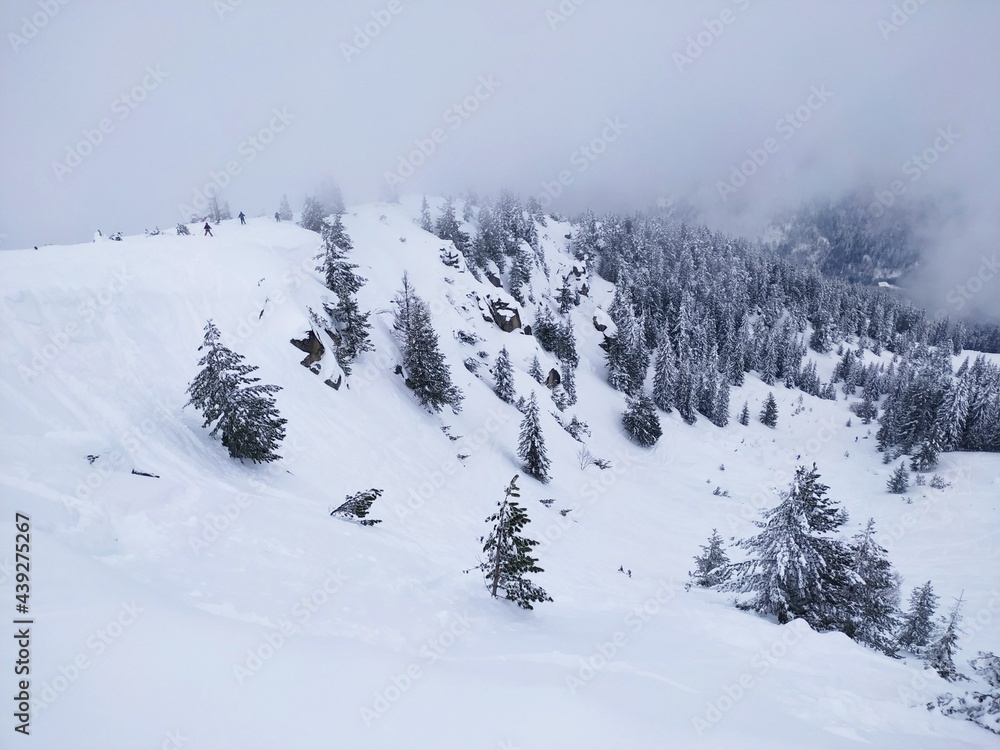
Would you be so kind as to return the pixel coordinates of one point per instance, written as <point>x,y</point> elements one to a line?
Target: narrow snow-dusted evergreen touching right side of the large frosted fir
<point>874,593</point>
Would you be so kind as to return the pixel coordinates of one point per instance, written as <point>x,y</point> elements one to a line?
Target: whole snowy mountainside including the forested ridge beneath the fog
<point>264,621</point>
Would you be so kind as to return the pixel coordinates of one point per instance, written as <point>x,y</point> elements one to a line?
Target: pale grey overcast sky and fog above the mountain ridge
<point>270,97</point>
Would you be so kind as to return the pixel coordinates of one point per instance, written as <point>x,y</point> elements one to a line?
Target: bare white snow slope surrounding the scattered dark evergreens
<point>218,605</point>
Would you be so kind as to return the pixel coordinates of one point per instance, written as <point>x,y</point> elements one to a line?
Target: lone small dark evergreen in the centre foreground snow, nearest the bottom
<point>508,554</point>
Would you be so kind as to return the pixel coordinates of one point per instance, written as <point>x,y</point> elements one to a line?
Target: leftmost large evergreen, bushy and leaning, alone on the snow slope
<point>242,409</point>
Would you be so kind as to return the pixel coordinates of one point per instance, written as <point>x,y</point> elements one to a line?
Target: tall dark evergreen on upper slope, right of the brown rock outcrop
<point>427,373</point>
